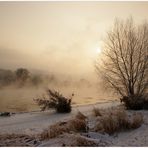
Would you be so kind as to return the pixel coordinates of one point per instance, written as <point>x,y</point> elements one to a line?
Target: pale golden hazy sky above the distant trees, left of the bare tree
<point>59,36</point>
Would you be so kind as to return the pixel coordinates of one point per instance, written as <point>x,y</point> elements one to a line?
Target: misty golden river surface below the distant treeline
<point>13,98</point>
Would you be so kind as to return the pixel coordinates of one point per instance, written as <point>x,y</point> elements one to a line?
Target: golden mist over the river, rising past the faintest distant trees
<point>19,97</point>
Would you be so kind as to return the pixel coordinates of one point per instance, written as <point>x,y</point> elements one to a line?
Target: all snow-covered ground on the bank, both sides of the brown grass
<point>35,122</point>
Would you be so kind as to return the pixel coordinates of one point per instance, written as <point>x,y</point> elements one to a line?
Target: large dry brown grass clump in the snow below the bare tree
<point>117,121</point>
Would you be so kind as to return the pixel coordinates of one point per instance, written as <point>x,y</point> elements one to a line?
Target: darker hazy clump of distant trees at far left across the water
<point>22,77</point>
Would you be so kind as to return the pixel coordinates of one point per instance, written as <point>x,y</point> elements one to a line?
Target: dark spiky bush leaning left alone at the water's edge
<point>55,100</point>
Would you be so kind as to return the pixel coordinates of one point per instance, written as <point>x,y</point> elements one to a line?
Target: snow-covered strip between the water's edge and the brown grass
<point>34,122</point>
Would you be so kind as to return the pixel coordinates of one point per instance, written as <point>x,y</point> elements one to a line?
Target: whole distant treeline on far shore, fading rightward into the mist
<point>23,77</point>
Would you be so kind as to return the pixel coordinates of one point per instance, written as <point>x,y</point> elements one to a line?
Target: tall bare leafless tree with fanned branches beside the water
<point>125,59</point>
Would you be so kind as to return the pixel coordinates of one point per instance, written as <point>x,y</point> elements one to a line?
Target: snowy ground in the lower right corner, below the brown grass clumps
<point>131,138</point>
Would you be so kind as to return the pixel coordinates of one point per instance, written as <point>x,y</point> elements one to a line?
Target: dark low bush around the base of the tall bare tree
<point>135,102</point>
